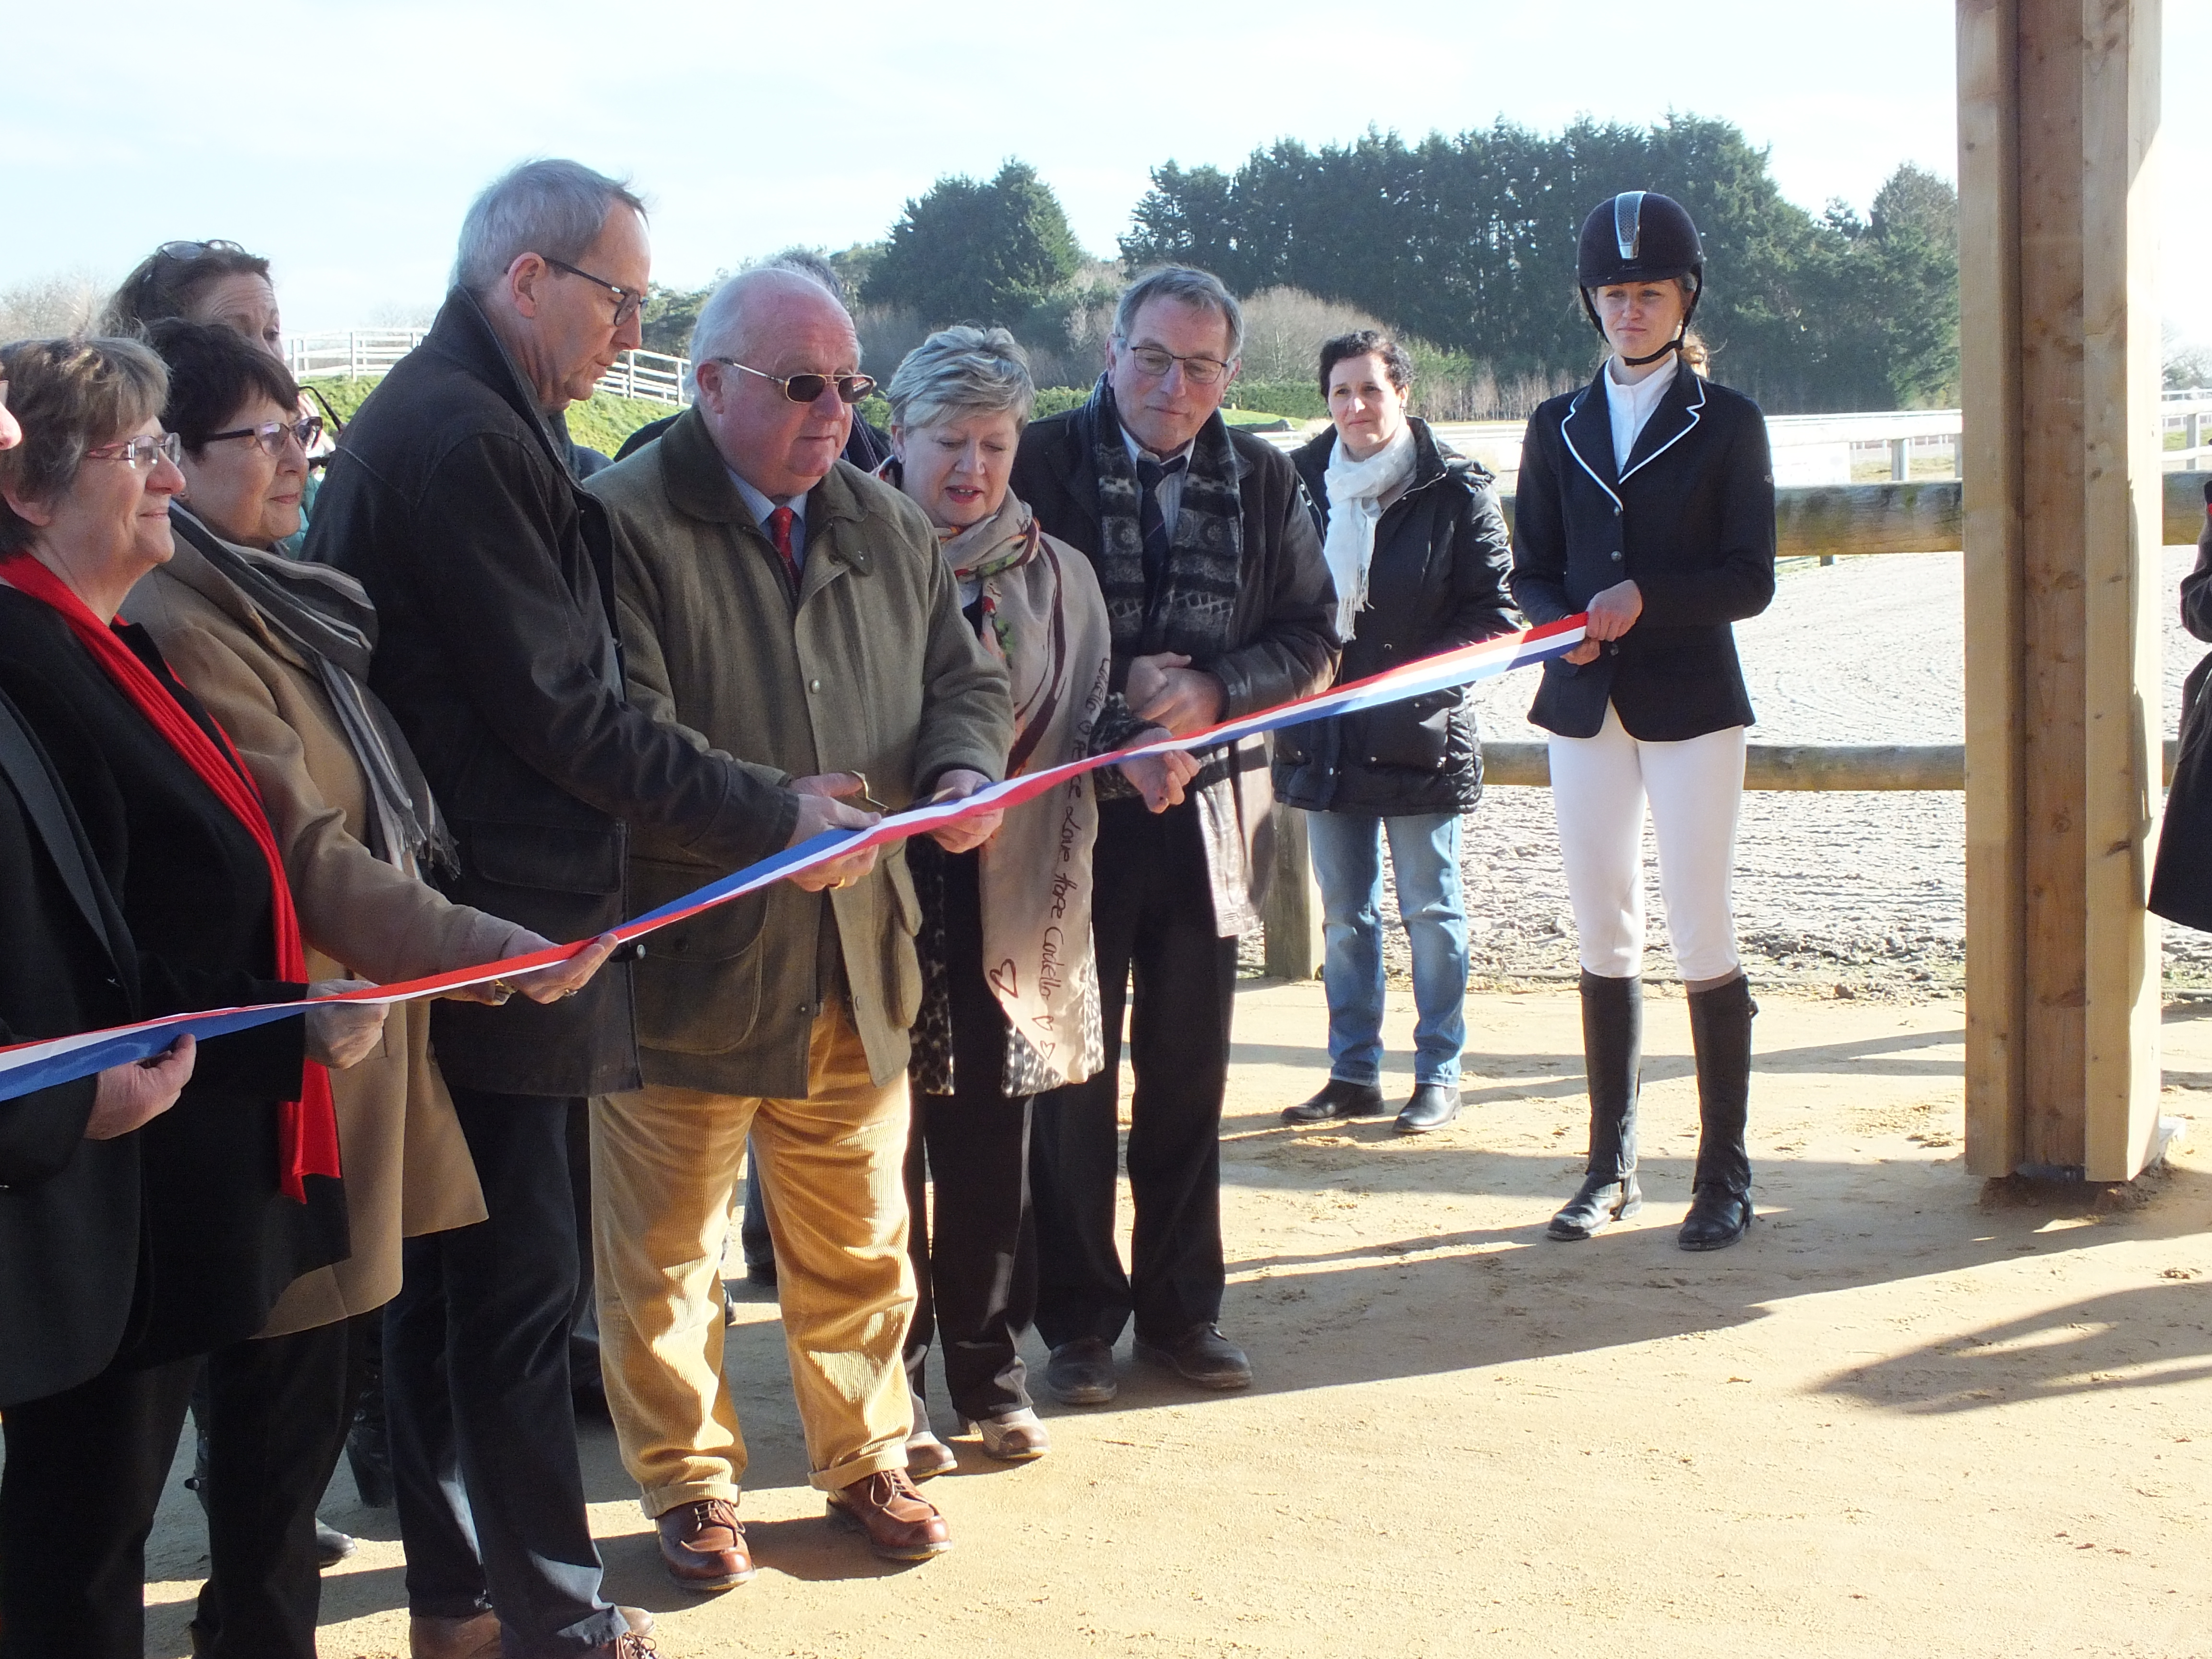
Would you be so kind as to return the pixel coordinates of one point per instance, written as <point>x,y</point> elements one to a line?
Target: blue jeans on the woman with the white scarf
<point>1426,859</point>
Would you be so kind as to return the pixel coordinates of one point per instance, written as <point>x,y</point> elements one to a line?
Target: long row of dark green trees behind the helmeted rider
<point>1470,242</point>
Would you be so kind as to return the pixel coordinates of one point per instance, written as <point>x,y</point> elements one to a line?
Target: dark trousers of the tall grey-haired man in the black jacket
<point>477,1397</point>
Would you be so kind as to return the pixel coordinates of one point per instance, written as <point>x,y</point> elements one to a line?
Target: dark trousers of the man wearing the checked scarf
<point>1154,924</point>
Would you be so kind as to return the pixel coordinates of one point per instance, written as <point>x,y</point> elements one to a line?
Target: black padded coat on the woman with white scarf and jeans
<point>1437,583</point>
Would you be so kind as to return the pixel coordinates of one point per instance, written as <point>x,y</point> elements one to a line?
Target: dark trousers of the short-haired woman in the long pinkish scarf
<point>974,1251</point>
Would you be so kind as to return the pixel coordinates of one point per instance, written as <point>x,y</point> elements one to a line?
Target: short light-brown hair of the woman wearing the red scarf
<point>70,397</point>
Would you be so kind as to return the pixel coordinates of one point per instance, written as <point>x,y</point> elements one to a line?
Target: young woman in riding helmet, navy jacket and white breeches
<point>1647,499</point>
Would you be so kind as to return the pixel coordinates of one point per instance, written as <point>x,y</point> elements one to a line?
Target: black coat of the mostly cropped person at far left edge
<point>70,1209</point>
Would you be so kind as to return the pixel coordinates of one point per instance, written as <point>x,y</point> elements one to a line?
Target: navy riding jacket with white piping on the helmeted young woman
<point>1691,521</point>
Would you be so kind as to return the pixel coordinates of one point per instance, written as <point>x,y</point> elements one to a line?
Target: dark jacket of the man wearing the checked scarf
<point>1282,632</point>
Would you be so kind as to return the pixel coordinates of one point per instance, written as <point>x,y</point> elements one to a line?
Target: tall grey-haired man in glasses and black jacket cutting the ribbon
<point>455,503</point>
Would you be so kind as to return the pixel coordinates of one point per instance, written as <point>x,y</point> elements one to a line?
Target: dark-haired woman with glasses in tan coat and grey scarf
<point>278,654</point>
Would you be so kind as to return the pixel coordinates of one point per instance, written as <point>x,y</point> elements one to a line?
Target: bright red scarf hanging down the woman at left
<point>306,1127</point>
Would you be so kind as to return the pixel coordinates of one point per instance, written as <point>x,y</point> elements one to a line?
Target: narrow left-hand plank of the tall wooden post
<point>1990,470</point>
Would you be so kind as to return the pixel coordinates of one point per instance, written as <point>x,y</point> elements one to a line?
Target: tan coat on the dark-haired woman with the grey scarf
<point>401,1151</point>
